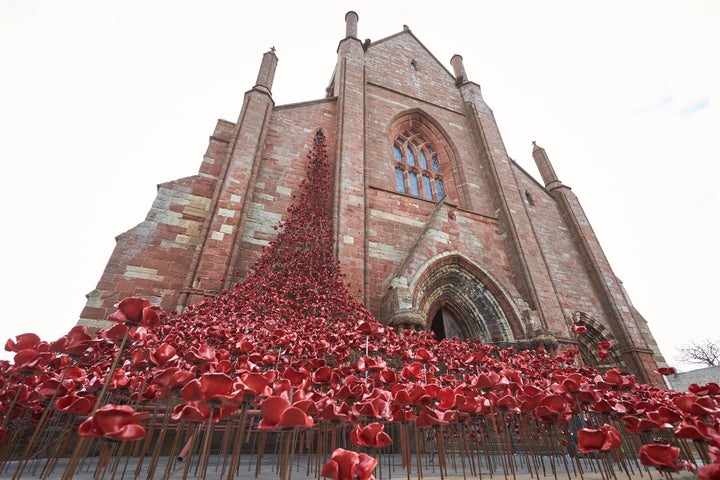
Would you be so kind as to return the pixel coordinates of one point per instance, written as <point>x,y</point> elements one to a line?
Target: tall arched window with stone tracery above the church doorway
<point>417,167</point>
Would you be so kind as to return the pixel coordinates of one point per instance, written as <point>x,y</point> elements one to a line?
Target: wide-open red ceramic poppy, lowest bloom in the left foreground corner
<point>117,422</point>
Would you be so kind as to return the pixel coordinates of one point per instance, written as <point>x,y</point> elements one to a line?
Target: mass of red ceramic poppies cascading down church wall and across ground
<point>288,361</point>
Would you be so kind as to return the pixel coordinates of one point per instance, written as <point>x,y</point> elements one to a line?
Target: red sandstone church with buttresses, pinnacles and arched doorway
<point>435,226</point>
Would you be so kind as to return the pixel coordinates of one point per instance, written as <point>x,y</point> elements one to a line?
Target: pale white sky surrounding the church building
<point>100,101</point>
